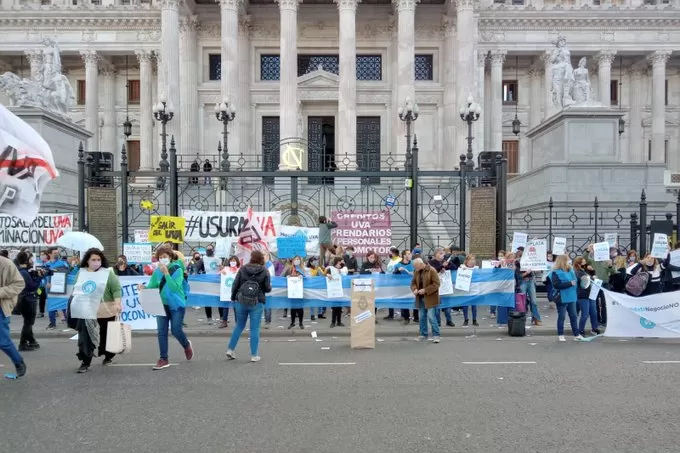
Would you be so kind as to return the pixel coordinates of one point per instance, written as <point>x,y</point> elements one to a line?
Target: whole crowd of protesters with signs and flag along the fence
<point>573,284</point>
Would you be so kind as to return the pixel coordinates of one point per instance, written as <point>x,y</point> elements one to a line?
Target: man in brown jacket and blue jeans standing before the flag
<point>425,288</point>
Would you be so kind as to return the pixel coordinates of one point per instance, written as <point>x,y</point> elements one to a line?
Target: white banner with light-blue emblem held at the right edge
<point>655,316</point>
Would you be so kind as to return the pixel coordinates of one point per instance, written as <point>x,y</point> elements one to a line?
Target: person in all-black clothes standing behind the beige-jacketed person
<point>28,300</point>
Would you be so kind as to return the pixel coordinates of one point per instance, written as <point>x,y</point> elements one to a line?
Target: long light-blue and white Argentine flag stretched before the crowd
<point>489,287</point>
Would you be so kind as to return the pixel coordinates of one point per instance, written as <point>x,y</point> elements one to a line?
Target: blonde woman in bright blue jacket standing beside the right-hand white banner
<point>564,279</point>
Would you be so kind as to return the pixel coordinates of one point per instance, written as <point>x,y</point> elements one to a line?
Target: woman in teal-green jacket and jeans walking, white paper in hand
<point>169,279</point>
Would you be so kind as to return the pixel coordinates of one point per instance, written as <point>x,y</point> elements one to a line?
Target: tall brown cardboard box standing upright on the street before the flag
<point>362,327</point>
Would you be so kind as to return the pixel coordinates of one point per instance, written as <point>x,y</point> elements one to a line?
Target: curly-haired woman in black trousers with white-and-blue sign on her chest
<point>96,300</point>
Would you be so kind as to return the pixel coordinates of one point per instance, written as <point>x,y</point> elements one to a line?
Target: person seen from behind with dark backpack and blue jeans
<point>251,284</point>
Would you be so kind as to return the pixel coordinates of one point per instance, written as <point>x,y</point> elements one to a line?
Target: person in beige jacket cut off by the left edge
<point>11,285</point>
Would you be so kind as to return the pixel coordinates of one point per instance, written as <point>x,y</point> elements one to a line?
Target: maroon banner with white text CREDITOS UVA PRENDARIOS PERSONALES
<point>364,230</point>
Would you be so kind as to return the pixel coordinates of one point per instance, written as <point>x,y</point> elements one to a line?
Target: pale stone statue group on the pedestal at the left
<point>51,90</point>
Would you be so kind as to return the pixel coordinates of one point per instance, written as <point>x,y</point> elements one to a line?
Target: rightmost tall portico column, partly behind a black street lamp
<point>465,62</point>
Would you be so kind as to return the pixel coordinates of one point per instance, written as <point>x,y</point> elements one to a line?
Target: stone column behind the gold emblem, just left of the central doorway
<point>288,96</point>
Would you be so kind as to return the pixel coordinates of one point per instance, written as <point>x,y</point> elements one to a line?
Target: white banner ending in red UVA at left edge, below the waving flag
<point>42,232</point>
